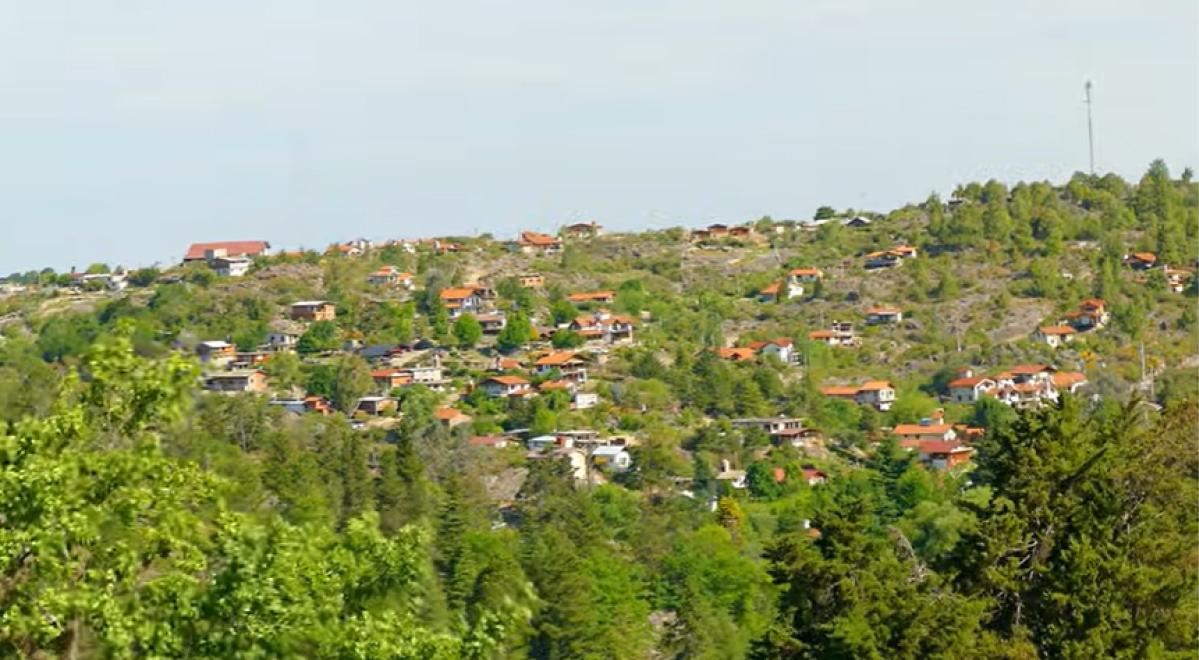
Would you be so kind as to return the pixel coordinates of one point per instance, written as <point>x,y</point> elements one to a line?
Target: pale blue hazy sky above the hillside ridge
<point>130,129</point>
